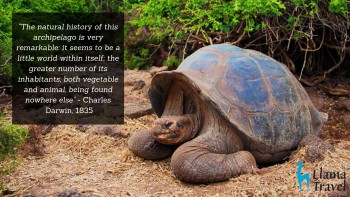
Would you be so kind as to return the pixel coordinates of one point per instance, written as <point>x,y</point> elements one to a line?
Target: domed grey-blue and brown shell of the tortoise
<point>258,95</point>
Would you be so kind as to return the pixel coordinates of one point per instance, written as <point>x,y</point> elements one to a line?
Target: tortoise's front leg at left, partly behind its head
<point>143,145</point>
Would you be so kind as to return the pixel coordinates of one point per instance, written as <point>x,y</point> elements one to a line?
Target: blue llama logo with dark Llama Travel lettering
<point>323,180</point>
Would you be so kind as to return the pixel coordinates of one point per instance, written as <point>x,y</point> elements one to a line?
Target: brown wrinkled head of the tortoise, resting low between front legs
<point>174,129</point>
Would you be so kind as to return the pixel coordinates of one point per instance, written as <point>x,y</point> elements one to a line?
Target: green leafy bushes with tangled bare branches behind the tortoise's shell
<point>309,36</point>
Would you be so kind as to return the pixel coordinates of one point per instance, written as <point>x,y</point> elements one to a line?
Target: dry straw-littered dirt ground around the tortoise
<point>92,160</point>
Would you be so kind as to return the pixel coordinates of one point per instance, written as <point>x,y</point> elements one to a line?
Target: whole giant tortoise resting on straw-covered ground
<point>223,110</point>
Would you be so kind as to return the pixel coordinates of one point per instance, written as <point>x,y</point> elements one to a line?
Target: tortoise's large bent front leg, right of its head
<point>196,162</point>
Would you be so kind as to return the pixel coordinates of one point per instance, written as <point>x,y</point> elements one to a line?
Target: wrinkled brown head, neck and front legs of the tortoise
<point>216,154</point>
